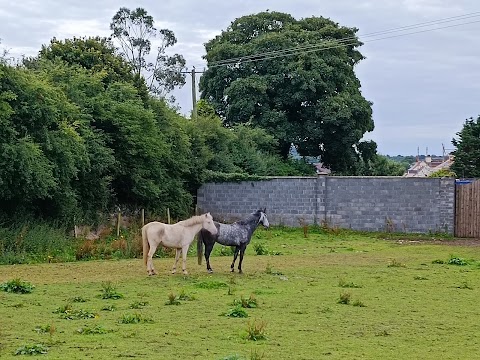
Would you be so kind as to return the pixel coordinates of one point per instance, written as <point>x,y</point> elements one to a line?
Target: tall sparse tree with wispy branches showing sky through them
<point>135,32</point>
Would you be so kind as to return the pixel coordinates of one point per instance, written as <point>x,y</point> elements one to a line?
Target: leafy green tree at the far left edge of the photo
<point>42,150</point>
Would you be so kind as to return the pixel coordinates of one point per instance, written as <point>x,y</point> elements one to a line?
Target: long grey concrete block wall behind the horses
<point>361,203</point>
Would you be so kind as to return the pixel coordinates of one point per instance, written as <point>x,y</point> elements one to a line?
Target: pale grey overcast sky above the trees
<point>423,86</point>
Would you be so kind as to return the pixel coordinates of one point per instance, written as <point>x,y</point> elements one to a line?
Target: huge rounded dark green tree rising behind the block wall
<point>308,98</point>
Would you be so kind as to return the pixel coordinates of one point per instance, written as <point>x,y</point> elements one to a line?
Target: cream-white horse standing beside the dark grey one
<point>178,236</point>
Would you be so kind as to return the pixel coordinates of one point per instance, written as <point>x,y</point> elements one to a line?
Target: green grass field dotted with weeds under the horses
<point>325,296</point>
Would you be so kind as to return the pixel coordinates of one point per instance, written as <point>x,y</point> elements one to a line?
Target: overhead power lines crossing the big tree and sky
<point>348,41</point>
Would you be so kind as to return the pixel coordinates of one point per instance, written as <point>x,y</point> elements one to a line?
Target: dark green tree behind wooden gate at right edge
<point>467,153</point>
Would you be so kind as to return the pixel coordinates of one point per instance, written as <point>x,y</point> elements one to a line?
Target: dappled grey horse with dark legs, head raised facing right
<point>237,234</point>
